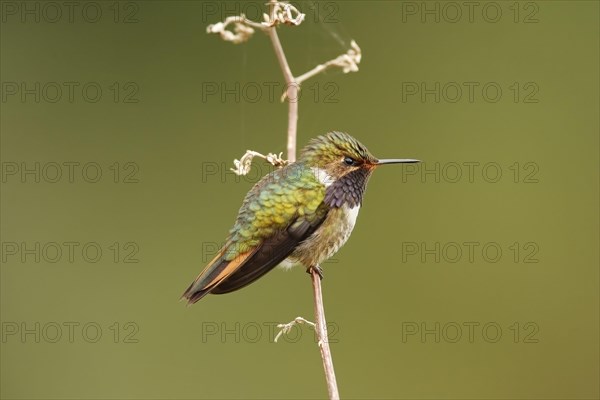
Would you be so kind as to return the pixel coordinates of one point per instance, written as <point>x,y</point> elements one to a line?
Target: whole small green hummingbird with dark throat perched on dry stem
<point>300,214</point>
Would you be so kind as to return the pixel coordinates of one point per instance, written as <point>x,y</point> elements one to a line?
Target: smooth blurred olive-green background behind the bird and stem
<point>410,317</point>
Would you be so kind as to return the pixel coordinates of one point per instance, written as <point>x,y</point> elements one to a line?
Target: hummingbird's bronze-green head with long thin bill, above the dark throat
<point>339,154</point>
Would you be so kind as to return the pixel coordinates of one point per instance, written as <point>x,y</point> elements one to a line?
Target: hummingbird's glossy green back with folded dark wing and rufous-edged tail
<point>278,213</point>
